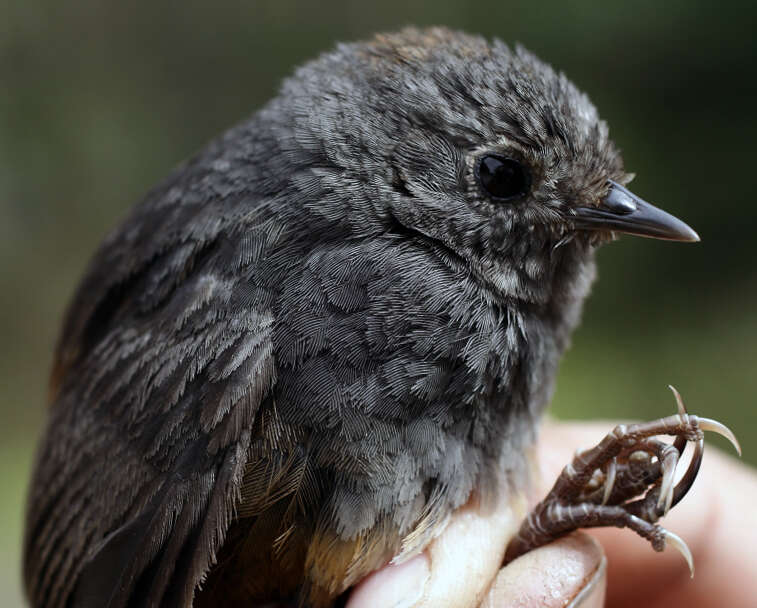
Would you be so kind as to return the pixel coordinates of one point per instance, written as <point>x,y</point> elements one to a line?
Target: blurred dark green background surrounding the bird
<point>99,100</point>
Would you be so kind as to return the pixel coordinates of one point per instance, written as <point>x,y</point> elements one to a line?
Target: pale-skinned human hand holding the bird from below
<point>716,519</point>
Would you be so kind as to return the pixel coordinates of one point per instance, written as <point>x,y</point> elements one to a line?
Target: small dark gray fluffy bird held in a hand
<point>317,338</point>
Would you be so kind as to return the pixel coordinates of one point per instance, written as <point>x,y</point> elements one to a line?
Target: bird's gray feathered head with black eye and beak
<point>486,152</point>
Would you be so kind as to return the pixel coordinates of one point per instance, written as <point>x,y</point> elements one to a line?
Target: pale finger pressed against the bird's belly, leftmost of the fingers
<point>455,570</point>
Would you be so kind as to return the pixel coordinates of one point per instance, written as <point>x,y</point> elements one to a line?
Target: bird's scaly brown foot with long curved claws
<point>626,480</point>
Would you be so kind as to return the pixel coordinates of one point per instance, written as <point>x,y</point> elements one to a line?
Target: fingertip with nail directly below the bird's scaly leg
<point>568,572</point>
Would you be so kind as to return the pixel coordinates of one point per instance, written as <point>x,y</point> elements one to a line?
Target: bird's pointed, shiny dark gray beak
<point>623,211</point>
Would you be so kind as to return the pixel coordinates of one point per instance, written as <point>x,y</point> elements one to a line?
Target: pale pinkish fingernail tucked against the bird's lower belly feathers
<point>394,586</point>
